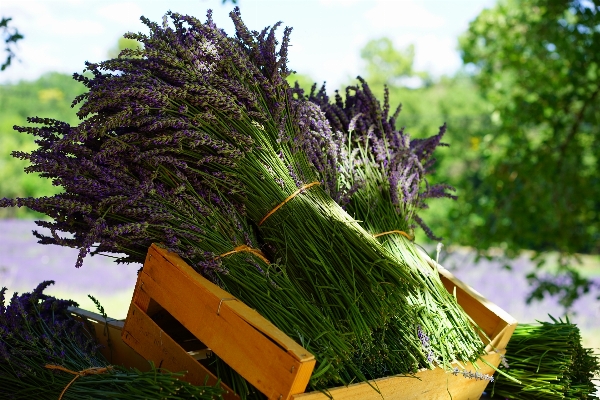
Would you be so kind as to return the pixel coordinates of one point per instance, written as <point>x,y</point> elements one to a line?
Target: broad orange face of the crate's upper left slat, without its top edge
<point>262,362</point>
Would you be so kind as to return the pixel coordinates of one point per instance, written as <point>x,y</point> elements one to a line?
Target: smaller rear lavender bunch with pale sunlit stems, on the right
<point>384,173</point>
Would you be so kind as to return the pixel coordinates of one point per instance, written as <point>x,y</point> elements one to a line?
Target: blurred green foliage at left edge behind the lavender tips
<point>49,96</point>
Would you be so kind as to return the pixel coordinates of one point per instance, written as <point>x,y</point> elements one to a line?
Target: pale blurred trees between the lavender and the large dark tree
<point>454,100</point>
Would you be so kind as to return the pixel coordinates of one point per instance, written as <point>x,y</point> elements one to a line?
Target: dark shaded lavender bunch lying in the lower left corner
<point>46,354</point>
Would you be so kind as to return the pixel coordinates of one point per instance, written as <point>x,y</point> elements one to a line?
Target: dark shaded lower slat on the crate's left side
<point>142,334</point>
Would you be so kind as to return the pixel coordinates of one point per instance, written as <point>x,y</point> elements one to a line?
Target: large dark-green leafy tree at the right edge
<point>537,62</point>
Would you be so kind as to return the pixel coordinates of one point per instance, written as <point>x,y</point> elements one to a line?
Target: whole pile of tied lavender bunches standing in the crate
<point>197,142</point>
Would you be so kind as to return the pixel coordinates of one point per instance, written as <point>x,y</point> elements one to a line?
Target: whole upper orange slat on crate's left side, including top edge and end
<point>255,348</point>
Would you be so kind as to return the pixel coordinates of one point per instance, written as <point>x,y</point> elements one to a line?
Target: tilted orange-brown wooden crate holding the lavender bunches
<point>176,314</point>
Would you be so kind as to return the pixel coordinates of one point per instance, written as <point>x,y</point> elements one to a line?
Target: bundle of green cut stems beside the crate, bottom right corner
<point>549,361</point>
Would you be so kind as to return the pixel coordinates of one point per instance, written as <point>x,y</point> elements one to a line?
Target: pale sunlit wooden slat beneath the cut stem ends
<point>435,384</point>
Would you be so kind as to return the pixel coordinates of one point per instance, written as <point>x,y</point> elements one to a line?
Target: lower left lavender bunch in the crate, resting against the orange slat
<point>158,205</point>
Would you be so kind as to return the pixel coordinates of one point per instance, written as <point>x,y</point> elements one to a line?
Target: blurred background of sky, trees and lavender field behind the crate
<point>516,81</point>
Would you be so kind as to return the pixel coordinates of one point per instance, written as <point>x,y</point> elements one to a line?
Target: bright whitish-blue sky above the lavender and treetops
<point>328,34</point>
